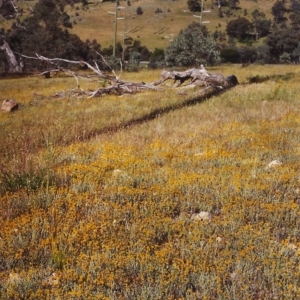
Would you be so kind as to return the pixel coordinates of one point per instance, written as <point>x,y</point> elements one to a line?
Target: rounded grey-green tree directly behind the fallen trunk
<point>192,47</point>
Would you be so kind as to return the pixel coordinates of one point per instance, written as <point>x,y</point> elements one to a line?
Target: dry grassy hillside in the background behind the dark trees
<point>153,30</point>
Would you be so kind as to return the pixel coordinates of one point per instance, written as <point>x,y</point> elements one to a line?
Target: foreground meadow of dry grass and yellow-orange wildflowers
<point>88,213</point>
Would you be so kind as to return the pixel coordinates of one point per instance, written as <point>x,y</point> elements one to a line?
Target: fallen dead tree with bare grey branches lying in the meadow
<point>115,85</point>
